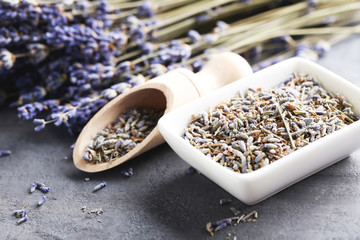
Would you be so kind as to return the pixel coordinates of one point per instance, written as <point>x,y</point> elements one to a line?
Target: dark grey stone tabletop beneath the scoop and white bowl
<point>160,201</point>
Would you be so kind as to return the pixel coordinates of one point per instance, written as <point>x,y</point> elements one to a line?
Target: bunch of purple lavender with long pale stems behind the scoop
<point>61,61</point>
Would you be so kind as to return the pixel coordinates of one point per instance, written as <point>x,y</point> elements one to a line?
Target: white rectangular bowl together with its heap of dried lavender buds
<point>253,160</point>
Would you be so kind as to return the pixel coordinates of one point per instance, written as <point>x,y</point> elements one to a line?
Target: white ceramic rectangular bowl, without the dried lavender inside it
<point>255,186</point>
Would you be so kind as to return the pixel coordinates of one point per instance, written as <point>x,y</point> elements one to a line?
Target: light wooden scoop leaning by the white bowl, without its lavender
<point>165,92</point>
